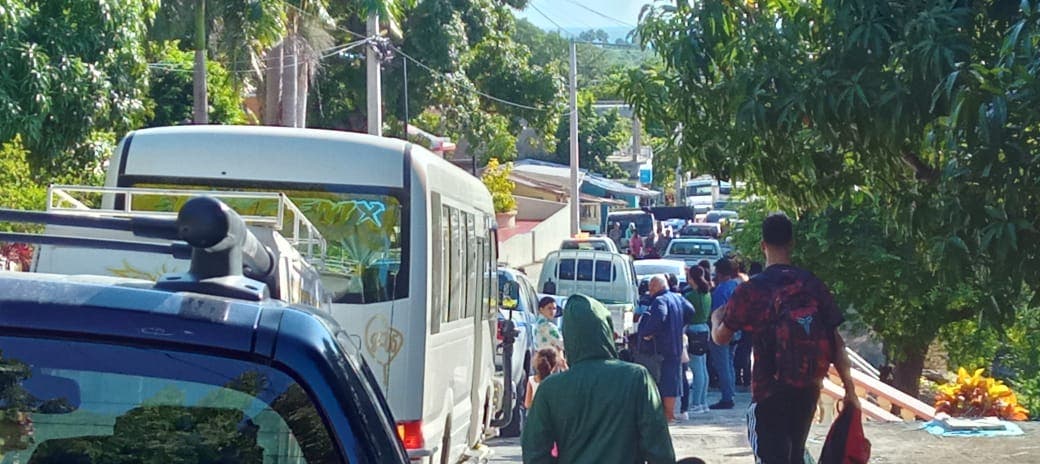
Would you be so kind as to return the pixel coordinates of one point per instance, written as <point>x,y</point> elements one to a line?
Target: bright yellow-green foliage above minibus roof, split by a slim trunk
<point>171,89</point>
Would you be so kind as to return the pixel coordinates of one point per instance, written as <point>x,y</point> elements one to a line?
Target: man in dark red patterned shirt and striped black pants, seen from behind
<point>794,322</point>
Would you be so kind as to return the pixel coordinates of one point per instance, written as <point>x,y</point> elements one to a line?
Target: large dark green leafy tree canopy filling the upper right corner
<point>929,108</point>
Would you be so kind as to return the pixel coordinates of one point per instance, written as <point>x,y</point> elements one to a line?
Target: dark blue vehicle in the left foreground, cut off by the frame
<point>199,367</point>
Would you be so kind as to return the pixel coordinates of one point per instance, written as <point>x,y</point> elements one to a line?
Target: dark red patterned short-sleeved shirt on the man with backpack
<point>753,308</point>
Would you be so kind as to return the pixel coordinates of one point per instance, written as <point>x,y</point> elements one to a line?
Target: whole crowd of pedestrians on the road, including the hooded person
<point>782,316</point>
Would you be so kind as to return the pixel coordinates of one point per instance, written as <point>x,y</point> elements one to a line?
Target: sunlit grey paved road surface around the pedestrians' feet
<point>720,439</point>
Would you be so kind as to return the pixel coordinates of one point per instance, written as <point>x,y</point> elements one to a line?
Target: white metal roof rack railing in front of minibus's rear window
<point>268,210</point>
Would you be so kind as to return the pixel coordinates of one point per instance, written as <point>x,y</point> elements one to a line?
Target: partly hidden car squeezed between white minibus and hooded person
<point>519,304</point>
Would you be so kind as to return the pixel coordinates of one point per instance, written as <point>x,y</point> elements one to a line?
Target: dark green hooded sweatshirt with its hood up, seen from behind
<point>601,411</point>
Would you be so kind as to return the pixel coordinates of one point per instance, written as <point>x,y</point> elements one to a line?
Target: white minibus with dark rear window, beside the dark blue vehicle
<point>410,261</point>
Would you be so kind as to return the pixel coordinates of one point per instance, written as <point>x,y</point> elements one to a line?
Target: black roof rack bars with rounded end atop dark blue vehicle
<point>227,260</point>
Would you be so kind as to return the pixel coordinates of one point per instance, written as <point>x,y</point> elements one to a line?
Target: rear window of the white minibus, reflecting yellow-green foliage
<point>363,231</point>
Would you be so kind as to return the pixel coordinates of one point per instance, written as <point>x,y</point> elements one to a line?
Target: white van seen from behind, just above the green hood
<point>605,276</point>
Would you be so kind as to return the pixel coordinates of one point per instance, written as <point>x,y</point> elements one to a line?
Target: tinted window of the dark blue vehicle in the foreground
<point>73,402</point>
